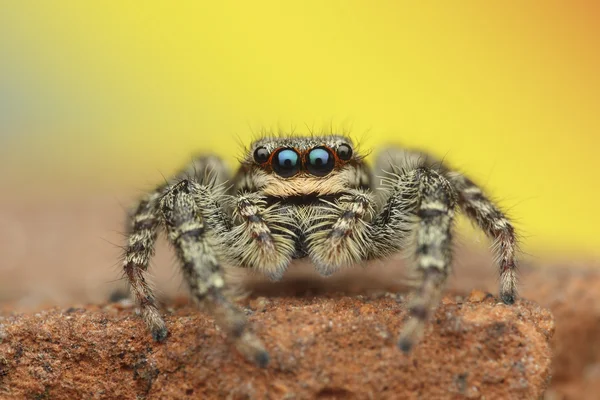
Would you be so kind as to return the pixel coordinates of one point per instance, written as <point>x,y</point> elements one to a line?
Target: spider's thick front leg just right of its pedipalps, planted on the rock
<point>421,201</point>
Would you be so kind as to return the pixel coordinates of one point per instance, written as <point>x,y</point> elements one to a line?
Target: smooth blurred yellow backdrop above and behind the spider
<point>100,98</point>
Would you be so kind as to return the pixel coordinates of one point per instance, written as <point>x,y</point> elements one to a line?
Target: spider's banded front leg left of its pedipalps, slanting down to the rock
<point>202,271</point>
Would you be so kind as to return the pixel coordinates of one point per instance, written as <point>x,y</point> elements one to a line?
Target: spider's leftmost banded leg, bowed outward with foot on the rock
<point>142,233</point>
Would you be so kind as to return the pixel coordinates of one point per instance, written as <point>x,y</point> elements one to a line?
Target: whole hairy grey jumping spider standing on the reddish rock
<point>315,197</point>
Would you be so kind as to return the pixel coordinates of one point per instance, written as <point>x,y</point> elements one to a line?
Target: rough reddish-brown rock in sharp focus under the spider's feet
<point>326,347</point>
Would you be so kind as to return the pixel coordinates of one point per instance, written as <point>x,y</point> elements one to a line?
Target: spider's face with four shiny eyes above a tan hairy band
<point>300,166</point>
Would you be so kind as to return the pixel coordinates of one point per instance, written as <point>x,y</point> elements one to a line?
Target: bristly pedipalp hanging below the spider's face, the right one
<point>343,235</point>
